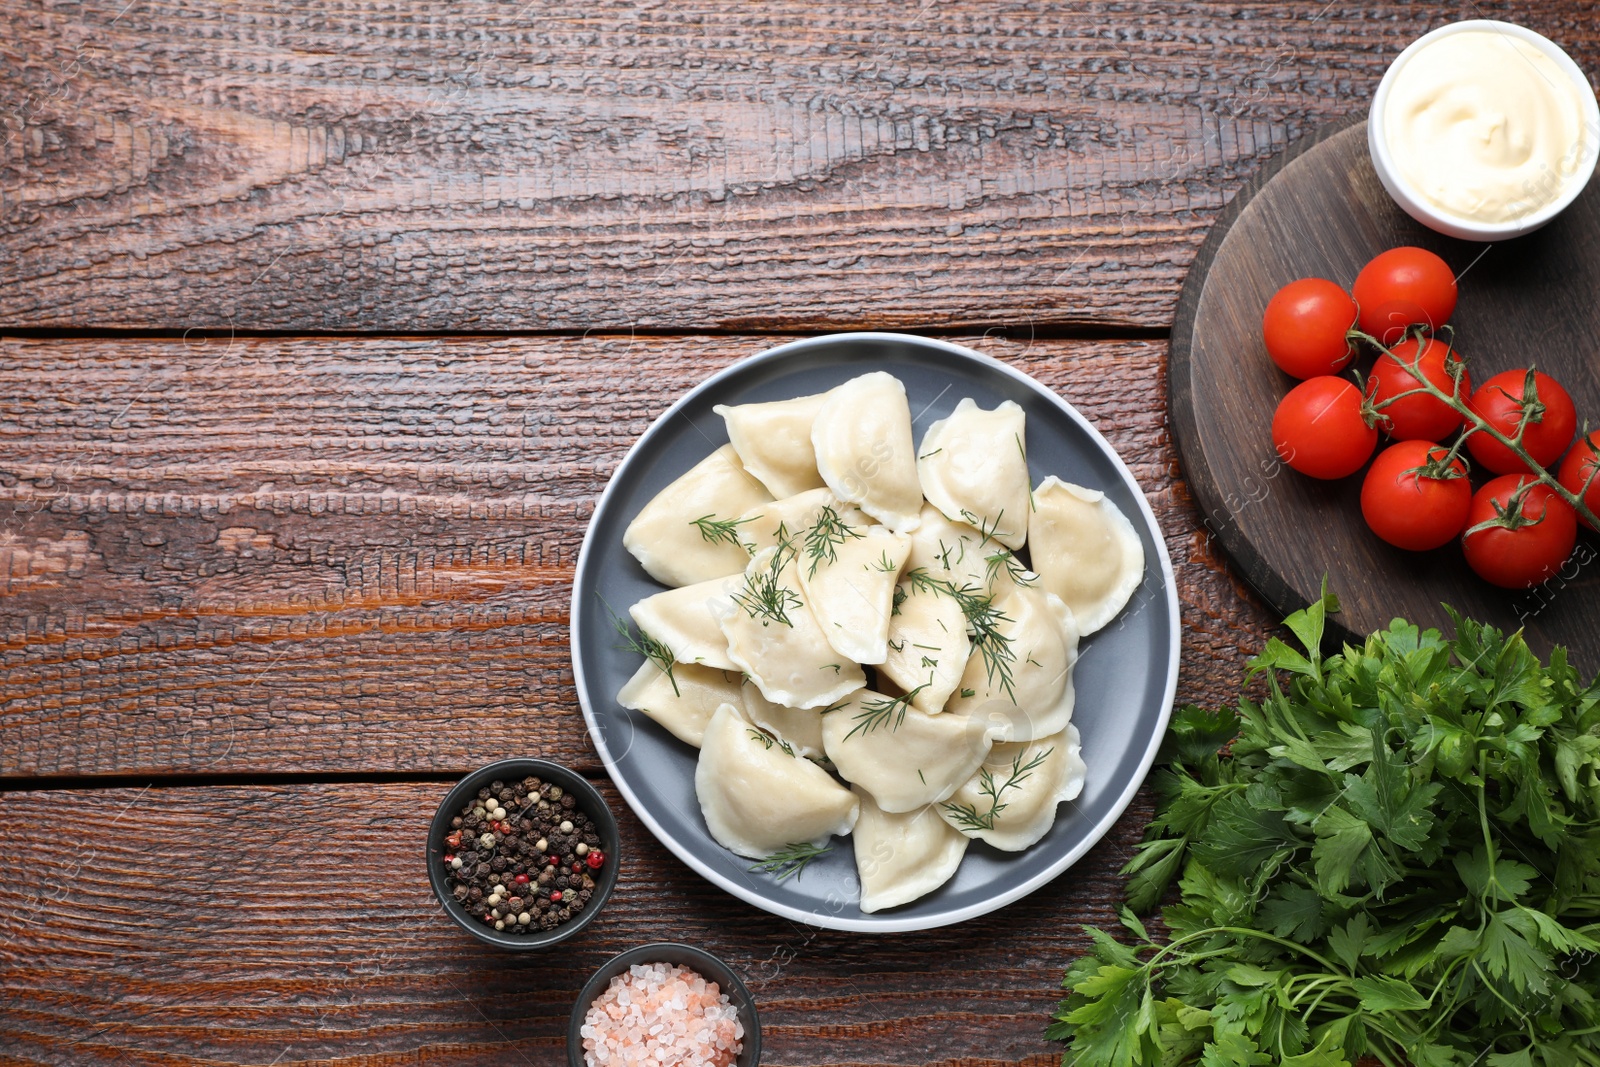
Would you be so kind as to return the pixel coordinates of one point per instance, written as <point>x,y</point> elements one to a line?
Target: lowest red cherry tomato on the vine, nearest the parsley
<point>1534,540</point>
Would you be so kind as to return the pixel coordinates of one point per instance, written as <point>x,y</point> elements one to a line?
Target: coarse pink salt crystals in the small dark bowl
<point>660,1015</point>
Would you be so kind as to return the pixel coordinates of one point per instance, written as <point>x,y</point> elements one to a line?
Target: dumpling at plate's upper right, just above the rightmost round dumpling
<point>974,468</point>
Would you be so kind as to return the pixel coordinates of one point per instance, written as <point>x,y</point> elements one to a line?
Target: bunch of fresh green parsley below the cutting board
<point>1399,858</point>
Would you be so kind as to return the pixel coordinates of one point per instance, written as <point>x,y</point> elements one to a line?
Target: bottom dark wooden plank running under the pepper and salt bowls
<point>295,925</point>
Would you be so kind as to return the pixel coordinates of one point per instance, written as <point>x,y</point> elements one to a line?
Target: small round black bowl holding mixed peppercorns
<point>590,802</point>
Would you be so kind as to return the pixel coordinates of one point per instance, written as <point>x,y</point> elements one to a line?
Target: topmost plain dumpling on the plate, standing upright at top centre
<point>865,450</point>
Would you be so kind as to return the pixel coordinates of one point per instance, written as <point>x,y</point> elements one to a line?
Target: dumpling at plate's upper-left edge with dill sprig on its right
<point>689,533</point>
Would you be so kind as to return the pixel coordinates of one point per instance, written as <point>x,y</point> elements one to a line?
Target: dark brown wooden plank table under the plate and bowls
<point>324,326</point>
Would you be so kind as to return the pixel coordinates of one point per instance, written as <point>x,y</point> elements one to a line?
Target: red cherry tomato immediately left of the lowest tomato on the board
<point>1412,508</point>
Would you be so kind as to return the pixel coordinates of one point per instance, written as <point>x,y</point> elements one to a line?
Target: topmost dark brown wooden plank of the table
<point>399,166</point>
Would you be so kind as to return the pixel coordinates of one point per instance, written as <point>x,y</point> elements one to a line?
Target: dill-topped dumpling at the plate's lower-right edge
<point>1012,801</point>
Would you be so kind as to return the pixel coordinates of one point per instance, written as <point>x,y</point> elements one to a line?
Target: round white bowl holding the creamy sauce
<point>1412,201</point>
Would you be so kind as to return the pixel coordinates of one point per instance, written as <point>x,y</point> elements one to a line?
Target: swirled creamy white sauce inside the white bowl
<point>1486,127</point>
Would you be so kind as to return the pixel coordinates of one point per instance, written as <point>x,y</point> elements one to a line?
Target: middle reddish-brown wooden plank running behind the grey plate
<point>356,556</point>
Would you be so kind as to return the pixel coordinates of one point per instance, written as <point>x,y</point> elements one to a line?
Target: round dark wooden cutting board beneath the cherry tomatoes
<point>1319,210</point>
